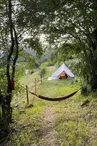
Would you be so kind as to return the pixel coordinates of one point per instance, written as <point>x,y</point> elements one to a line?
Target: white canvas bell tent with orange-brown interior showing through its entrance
<point>62,73</point>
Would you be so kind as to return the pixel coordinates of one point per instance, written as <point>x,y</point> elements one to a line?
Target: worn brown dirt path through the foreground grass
<point>49,133</point>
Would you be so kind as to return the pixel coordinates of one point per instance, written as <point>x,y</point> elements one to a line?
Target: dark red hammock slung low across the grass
<point>55,99</point>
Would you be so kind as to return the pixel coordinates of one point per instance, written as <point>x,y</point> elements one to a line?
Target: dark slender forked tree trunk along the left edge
<point>13,51</point>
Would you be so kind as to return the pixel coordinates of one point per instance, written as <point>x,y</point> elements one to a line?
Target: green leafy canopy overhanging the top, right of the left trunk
<point>55,19</point>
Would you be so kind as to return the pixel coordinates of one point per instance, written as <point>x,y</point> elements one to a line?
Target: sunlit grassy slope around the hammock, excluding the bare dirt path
<point>75,125</point>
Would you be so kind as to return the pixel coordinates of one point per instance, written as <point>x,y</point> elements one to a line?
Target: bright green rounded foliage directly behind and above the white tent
<point>66,53</point>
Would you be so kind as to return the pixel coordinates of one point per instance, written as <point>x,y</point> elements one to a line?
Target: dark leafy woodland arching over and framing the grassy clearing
<point>70,29</point>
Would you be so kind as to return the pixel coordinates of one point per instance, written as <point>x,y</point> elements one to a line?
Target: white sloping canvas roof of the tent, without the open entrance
<point>62,68</point>
